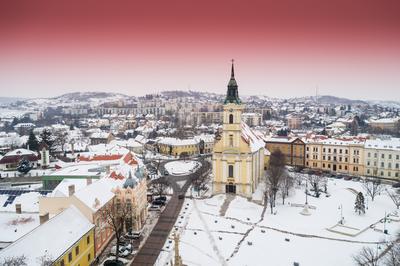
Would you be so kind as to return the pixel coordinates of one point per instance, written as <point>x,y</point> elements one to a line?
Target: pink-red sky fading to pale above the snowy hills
<point>282,48</point>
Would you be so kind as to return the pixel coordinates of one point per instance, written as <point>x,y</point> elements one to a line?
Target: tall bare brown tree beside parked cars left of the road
<point>115,215</point>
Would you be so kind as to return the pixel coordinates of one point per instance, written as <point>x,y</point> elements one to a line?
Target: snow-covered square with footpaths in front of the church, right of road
<point>243,237</point>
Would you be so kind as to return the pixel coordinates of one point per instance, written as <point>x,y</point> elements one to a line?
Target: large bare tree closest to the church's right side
<point>275,174</point>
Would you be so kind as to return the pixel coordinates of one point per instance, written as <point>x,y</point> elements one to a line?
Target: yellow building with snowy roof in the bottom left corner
<point>66,239</point>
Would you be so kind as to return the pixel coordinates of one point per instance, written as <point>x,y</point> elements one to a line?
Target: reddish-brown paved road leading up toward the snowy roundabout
<point>148,254</point>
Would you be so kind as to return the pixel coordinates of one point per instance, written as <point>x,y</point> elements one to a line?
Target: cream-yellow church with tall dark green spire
<point>238,156</point>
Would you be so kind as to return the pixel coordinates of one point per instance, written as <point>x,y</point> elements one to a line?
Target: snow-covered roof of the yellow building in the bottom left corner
<point>63,231</point>
